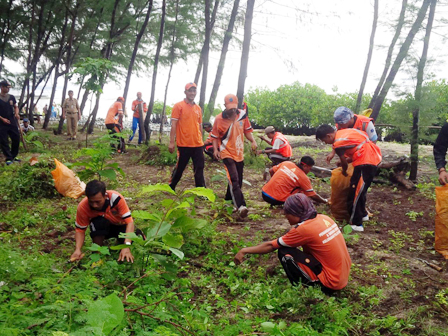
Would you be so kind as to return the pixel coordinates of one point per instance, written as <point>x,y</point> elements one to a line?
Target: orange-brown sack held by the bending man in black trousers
<point>340,188</point>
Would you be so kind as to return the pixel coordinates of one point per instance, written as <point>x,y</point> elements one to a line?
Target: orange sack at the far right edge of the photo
<point>441,244</point>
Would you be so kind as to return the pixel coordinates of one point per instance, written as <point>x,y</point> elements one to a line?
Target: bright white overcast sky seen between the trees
<point>323,43</point>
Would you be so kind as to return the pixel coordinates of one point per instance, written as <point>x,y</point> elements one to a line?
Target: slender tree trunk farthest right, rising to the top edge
<point>418,94</point>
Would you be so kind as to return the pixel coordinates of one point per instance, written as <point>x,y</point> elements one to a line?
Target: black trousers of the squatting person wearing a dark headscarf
<point>291,258</point>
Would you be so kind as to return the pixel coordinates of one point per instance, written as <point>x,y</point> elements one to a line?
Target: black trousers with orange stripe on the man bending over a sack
<point>359,184</point>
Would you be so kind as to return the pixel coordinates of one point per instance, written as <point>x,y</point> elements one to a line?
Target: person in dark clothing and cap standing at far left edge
<point>9,114</point>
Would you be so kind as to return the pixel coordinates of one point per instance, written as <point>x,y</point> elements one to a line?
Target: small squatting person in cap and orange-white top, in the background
<point>281,149</point>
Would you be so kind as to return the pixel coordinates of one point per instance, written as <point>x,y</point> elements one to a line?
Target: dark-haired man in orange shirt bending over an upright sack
<point>352,145</point>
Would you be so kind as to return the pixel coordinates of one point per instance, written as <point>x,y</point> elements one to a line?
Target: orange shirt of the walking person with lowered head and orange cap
<point>230,134</point>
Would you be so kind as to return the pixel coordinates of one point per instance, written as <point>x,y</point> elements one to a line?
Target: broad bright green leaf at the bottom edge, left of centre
<point>106,314</point>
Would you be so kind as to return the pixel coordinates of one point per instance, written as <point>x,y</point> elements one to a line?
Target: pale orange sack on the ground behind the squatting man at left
<point>66,182</point>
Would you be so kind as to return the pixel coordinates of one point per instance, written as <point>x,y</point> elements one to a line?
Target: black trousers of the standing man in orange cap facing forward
<point>185,153</point>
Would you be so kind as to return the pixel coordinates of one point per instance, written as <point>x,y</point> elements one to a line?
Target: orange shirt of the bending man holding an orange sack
<point>358,147</point>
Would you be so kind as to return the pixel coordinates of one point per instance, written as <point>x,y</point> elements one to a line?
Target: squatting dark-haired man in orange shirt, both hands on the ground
<point>108,215</point>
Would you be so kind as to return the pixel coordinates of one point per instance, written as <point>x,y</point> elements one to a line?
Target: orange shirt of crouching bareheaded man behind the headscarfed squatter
<point>287,180</point>
